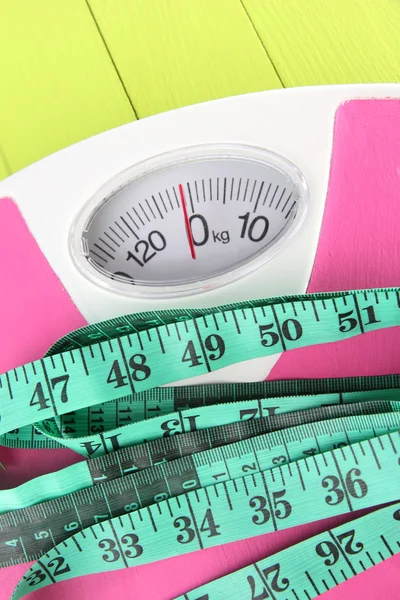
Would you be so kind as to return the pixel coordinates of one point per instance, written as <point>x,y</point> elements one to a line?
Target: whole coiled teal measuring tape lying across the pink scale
<point>249,458</point>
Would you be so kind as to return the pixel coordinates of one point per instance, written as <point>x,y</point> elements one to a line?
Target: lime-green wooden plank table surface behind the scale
<point>70,69</point>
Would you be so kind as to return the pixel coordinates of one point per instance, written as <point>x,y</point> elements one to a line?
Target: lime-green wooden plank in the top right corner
<point>330,41</point>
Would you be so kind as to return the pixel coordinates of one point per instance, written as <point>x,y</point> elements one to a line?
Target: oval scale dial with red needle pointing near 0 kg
<point>189,221</point>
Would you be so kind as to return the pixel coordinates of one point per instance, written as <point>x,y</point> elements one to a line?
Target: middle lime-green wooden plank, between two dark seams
<point>172,53</point>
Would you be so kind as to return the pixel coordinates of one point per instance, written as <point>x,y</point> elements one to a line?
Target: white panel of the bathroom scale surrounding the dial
<point>296,124</point>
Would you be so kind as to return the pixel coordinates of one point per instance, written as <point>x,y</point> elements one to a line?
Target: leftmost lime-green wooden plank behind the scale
<point>58,82</point>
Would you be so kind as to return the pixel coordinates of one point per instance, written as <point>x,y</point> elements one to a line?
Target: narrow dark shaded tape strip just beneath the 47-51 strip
<point>109,415</point>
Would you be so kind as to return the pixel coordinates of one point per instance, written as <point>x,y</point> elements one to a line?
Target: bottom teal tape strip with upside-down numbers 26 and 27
<point>314,566</point>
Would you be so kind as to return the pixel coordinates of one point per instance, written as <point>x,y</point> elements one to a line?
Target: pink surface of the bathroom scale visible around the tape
<point>359,247</point>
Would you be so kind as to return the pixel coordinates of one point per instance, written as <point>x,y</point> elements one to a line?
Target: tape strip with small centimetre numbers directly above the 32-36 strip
<point>29,533</point>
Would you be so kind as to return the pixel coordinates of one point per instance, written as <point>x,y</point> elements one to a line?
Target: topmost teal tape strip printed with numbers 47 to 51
<point>56,384</point>
